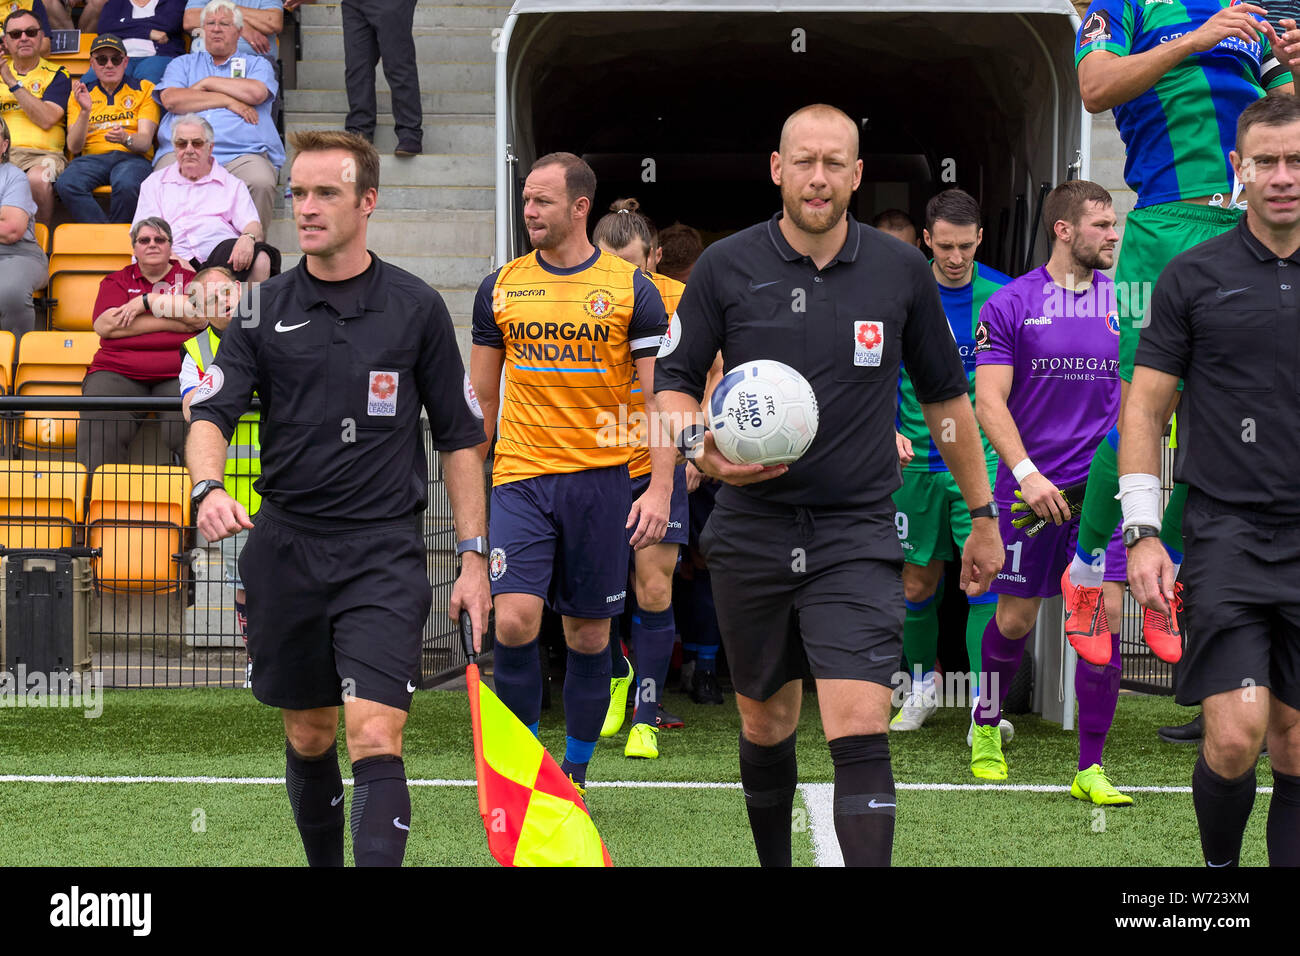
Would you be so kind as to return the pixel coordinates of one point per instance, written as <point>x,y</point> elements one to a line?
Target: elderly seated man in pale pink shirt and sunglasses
<point>213,214</point>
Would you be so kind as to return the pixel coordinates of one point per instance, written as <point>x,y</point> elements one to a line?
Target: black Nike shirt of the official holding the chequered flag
<point>343,371</point>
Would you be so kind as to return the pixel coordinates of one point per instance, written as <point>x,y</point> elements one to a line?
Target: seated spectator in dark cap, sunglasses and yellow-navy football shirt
<point>111,124</point>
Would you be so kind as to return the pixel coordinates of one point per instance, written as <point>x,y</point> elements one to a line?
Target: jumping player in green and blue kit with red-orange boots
<point>1177,76</point>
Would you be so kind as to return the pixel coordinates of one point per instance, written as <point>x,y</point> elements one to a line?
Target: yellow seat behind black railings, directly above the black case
<point>41,504</point>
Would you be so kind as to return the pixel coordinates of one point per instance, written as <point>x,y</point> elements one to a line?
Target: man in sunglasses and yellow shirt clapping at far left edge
<point>33,100</point>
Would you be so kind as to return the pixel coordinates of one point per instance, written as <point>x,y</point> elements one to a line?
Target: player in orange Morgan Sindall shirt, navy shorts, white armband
<point>569,326</point>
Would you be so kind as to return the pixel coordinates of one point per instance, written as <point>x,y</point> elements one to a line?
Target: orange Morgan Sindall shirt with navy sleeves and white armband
<point>570,339</point>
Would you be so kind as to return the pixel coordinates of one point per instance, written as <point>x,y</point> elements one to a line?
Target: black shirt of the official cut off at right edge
<point>1224,318</point>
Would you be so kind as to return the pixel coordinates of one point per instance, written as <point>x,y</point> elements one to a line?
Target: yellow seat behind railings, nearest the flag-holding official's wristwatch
<point>137,516</point>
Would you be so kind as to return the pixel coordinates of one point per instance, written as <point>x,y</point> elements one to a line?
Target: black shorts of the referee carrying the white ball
<point>795,585</point>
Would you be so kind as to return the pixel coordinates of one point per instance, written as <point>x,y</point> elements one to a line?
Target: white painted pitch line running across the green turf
<point>614,785</point>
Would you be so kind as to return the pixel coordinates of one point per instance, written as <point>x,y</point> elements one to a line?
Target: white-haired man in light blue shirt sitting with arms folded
<point>235,96</point>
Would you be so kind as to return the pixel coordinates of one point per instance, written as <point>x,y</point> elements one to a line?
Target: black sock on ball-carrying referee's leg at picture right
<point>864,799</point>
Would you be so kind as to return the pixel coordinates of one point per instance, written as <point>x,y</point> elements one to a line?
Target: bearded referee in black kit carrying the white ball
<point>805,559</point>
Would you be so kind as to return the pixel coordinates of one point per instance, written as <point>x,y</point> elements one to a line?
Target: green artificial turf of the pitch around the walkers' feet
<point>215,733</point>
